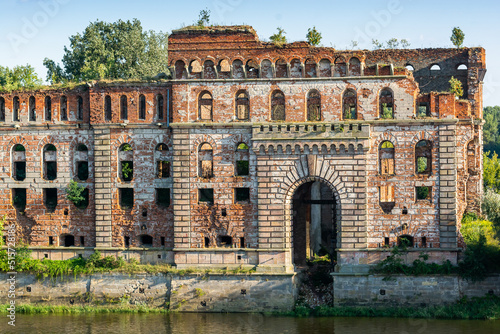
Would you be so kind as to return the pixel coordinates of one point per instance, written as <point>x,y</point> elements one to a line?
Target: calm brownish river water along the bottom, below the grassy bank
<point>235,323</point>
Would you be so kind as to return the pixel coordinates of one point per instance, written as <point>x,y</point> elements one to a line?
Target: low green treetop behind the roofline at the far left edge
<point>19,77</point>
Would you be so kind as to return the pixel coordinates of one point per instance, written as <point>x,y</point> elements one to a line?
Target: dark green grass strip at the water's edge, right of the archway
<point>484,308</point>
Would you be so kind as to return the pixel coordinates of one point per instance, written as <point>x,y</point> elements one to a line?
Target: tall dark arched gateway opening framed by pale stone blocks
<point>314,222</point>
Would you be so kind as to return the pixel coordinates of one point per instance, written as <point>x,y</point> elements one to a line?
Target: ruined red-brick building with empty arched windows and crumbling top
<point>251,155</point>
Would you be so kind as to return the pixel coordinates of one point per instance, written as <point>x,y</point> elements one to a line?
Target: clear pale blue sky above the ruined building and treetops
<point>34,29</point>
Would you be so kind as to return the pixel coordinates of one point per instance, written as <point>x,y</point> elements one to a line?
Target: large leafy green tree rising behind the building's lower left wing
<point>119,50</point>
